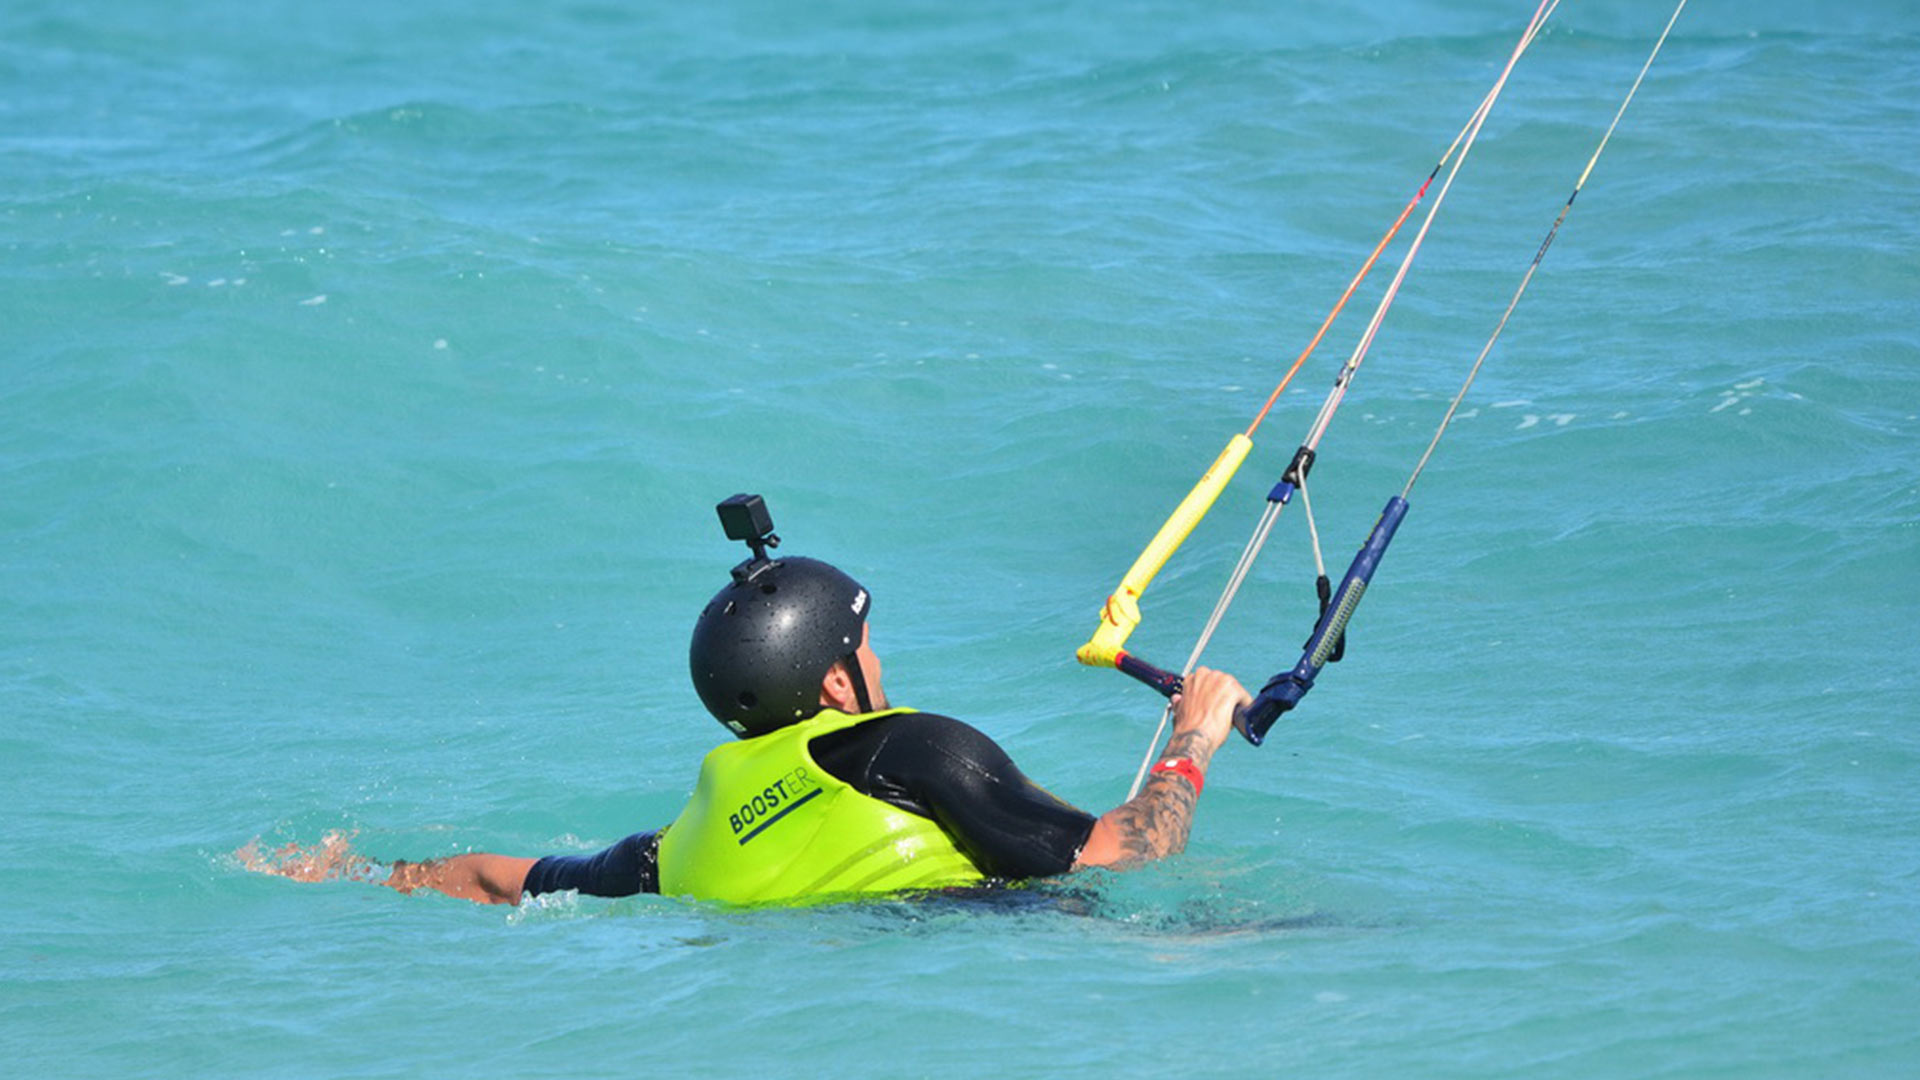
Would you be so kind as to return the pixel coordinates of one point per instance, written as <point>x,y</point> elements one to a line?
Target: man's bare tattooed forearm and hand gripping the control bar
<point>1159,820</point>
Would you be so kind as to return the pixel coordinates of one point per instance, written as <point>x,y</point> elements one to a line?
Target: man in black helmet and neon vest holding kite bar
<point>830,791</point>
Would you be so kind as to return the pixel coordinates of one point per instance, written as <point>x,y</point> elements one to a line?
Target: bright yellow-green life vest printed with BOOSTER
<point>767,823</point>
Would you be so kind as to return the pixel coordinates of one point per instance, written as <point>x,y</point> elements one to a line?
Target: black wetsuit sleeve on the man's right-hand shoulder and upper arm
<point>959,777</point>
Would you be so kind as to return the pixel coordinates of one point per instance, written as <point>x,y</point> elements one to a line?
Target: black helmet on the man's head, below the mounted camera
<point>767,641</point>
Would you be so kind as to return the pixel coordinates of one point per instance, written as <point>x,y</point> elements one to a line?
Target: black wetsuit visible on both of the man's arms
<point>919,762</point>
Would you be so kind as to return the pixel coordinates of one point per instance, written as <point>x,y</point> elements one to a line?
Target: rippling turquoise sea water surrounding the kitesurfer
<point>372,372</point>
